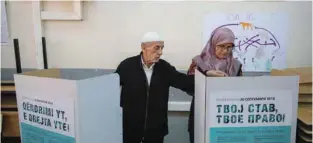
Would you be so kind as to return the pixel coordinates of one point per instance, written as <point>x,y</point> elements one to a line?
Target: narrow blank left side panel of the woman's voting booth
<point>199,117</point>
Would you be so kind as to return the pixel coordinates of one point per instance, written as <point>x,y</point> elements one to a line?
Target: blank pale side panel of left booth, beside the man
<point>100,114</point>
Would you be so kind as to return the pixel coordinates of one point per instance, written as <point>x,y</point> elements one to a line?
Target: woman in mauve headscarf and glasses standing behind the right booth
<point>215,60</point>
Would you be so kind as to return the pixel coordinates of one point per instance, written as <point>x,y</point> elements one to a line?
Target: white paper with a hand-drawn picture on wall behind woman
<point>261,38</point>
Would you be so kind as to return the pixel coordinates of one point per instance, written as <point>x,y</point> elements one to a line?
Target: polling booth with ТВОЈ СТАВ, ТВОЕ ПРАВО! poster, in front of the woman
<point>245,109</point>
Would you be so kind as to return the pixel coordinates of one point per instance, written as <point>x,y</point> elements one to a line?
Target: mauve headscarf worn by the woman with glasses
<point>208,61</point>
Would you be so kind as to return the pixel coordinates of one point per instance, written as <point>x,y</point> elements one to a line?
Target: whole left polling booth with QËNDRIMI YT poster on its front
<point>65,106</point>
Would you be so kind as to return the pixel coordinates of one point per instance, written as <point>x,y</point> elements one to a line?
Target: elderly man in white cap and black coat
<point>145,81</point>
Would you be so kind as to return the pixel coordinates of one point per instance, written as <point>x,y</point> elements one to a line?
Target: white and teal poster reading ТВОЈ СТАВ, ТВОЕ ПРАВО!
<point>250,116</point>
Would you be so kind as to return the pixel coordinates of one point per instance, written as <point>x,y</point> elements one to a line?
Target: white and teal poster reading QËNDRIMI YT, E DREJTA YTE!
<point>46,120</point>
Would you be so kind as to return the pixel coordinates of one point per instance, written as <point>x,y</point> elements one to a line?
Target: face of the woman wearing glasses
<point>223,50</point>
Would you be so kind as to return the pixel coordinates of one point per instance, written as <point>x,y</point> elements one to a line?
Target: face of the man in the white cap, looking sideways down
<point>152,51</point>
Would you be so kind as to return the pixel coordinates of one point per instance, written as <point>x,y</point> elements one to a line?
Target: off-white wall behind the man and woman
<point>111,31</point>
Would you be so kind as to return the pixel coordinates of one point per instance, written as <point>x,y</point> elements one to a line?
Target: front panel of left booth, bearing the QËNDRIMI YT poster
<point>45,108</point>
